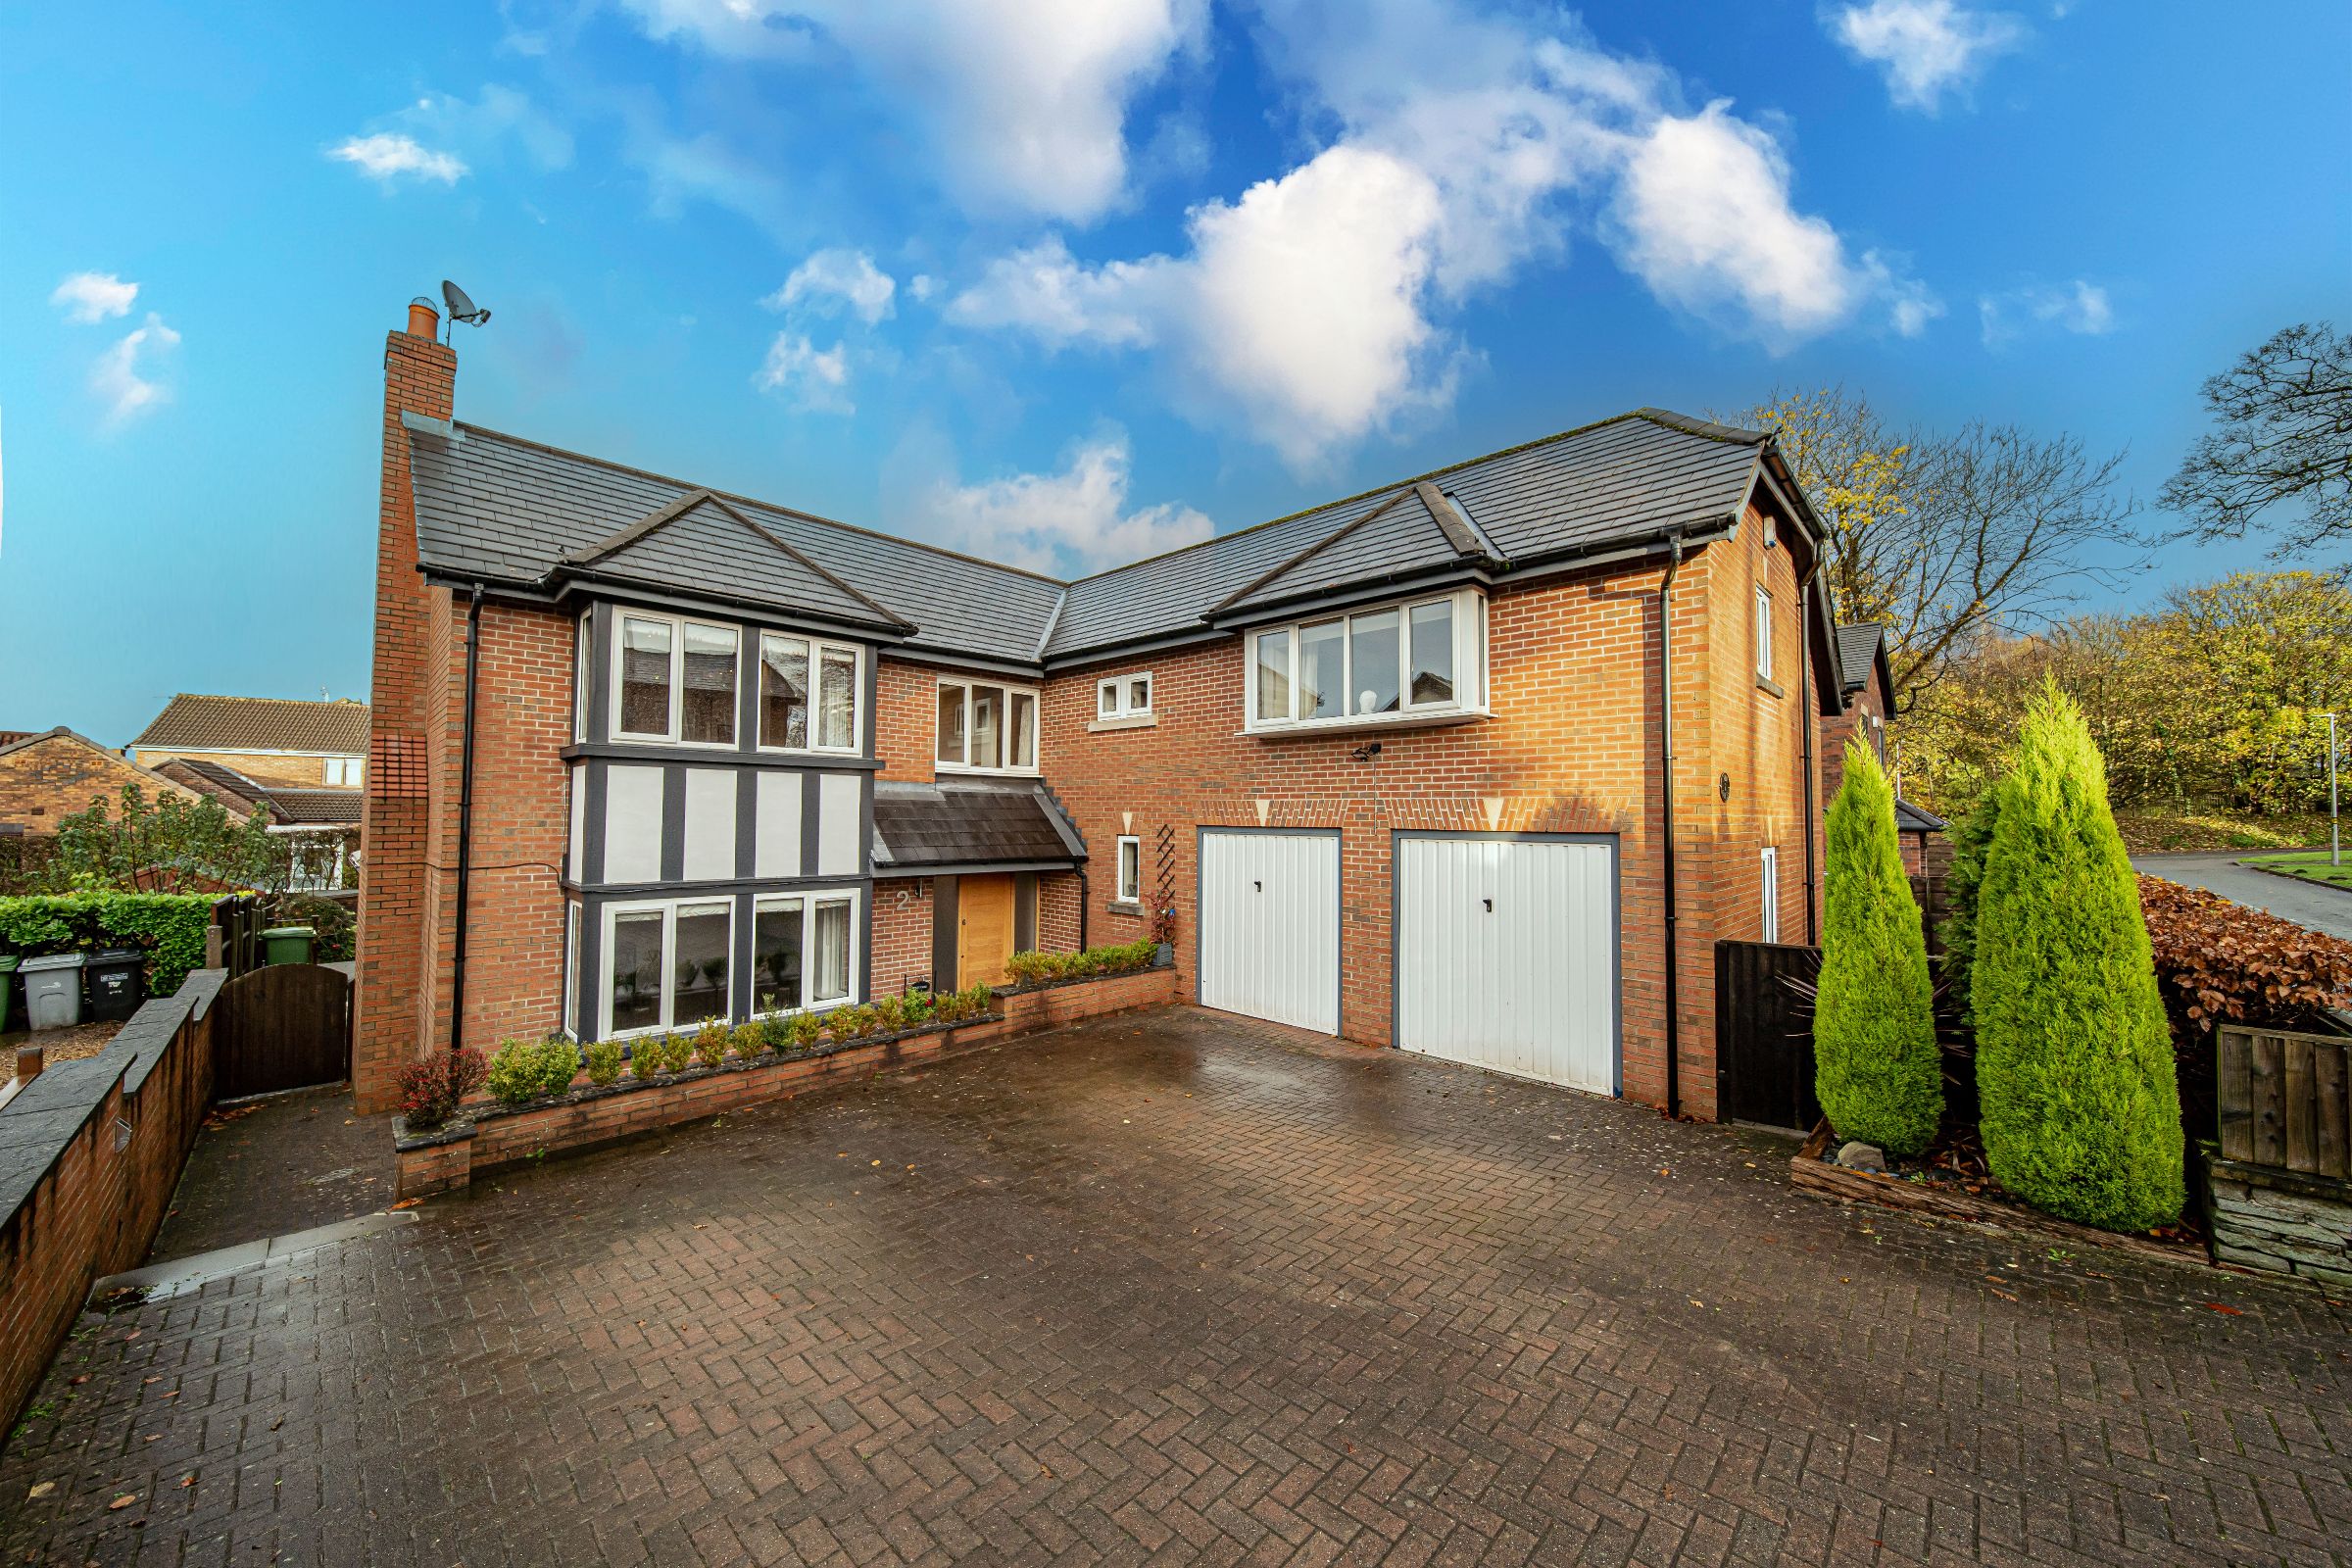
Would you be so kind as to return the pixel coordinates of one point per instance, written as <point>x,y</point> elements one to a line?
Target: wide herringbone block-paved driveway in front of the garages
<point>1184,1289</point>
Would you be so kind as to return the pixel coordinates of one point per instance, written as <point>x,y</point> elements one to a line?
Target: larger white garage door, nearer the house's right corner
<point>1506,956</point>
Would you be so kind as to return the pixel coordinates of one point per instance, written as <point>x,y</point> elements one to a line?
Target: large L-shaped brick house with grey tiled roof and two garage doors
<point>1401,768</point>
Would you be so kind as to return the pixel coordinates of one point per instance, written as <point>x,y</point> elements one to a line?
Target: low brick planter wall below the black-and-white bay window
<point>495,1137</point>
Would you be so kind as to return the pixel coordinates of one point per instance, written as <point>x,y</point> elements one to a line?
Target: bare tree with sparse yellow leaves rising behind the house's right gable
<point>1951,537</point>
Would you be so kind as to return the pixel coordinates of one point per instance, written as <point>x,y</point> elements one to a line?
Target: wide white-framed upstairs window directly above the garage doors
<point>1372,666</point>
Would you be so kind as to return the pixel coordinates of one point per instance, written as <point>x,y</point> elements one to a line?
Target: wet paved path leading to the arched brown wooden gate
<point>274,1167</point>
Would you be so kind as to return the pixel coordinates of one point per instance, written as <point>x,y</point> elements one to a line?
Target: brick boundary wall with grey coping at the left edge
<point>91,1153</point>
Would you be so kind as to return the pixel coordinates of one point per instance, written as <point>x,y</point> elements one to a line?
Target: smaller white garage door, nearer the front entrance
<point>1269,925</point>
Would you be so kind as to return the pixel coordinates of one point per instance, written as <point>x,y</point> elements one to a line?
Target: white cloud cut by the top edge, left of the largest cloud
<point>1024,102</point>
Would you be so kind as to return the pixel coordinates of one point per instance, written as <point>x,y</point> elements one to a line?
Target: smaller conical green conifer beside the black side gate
<point>1876,1064</point>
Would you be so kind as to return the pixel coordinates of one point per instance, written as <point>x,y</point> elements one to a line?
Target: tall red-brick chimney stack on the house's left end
<point>420,377</point>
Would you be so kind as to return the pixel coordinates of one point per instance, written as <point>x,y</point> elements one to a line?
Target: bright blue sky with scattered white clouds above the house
<point>1071,281</point>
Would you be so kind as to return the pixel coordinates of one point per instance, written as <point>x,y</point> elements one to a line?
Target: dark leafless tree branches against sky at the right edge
<point>2285,434</point>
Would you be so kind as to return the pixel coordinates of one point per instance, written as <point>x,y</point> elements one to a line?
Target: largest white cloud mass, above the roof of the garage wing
<point>1459,152</point>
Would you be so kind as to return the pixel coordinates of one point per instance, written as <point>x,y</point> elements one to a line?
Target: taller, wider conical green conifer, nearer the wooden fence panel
<point>2073,1059</point>
